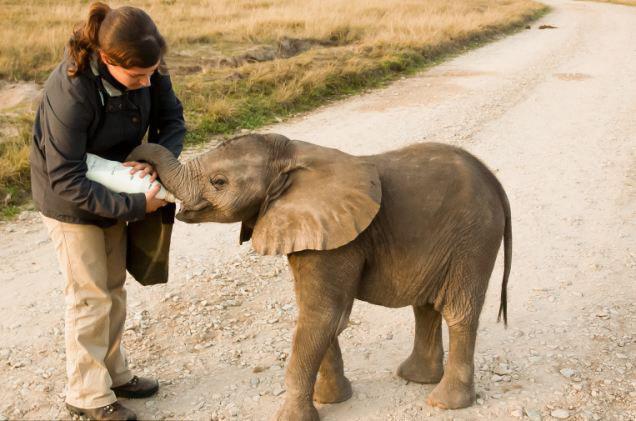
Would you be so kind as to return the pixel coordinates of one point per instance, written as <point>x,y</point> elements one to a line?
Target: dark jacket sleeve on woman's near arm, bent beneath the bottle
<point>66,120</point>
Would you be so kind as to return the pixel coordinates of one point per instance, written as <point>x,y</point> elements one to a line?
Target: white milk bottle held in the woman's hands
<point>116,177</point>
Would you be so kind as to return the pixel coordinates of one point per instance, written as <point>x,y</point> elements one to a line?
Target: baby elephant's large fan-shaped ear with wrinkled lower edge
<point>322,202</point>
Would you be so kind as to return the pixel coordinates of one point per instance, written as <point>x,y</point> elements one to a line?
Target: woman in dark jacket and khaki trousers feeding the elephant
<point>102,98</point>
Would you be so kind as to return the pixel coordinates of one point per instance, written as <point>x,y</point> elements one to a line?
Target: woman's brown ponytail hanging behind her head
<point>85,39</point>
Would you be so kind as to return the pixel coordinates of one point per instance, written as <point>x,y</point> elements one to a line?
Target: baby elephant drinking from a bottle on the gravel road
<point>419,226</point>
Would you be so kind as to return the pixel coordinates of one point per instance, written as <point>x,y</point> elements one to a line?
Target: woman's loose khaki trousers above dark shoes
<point>93,261</point>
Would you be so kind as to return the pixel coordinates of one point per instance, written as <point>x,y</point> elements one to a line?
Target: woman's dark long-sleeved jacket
<point>93,113</point>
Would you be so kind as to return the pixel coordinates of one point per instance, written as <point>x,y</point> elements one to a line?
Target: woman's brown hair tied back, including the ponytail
<point>126,35</point>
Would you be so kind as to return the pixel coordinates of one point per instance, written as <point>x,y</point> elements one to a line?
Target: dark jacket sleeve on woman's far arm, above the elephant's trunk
<point>167,126</point>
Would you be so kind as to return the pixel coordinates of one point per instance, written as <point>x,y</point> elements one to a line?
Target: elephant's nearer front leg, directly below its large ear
<point>325,285</point>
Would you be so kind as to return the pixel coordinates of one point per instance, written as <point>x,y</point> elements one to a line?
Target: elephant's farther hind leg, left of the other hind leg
<point>425,364</point>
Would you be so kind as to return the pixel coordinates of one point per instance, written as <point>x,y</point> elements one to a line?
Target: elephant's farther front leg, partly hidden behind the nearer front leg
<point>332,386</point>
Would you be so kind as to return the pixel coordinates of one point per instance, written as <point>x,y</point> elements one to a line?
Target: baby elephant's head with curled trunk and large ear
<point>289,195</point>
